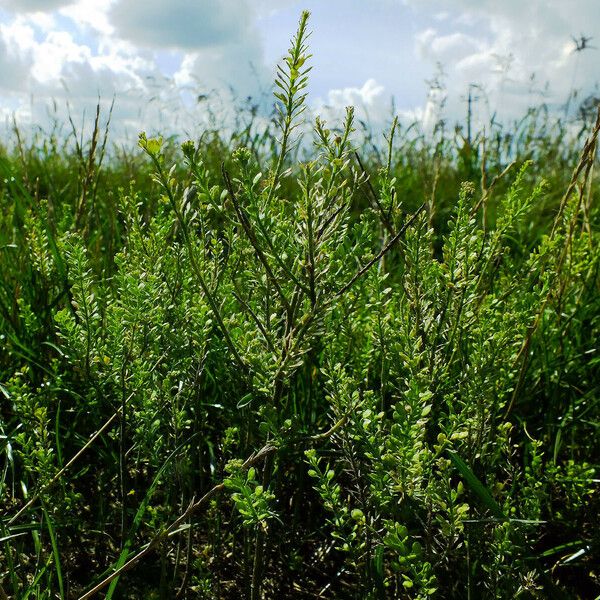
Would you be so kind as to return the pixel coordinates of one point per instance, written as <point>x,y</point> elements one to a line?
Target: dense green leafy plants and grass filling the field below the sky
<point>249,367</point>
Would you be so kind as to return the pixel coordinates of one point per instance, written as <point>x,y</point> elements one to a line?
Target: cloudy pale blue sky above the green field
<point>178,66</point>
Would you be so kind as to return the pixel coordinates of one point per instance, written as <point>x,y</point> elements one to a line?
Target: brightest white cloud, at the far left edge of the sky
<point>45,74</point>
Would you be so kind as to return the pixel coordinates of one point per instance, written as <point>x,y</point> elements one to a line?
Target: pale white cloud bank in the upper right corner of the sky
<point>500,45</point>
